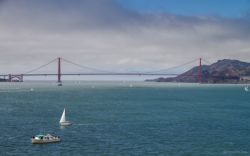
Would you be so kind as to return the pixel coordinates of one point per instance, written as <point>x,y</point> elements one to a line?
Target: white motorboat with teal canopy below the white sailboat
<point>43,139</point>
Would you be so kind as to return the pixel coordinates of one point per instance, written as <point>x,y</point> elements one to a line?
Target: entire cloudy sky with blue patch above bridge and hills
<point>121,35</point>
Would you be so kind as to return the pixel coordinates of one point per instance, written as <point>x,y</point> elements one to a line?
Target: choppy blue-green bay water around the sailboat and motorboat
<point>115,118</point>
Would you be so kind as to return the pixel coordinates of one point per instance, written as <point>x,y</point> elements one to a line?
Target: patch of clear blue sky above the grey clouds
<point>225,8</point>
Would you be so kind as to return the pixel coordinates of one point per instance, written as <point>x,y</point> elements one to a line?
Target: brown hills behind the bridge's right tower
<point>223,71</point>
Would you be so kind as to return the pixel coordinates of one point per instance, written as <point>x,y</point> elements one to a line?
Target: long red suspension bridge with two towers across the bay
<point>98,72</point>
